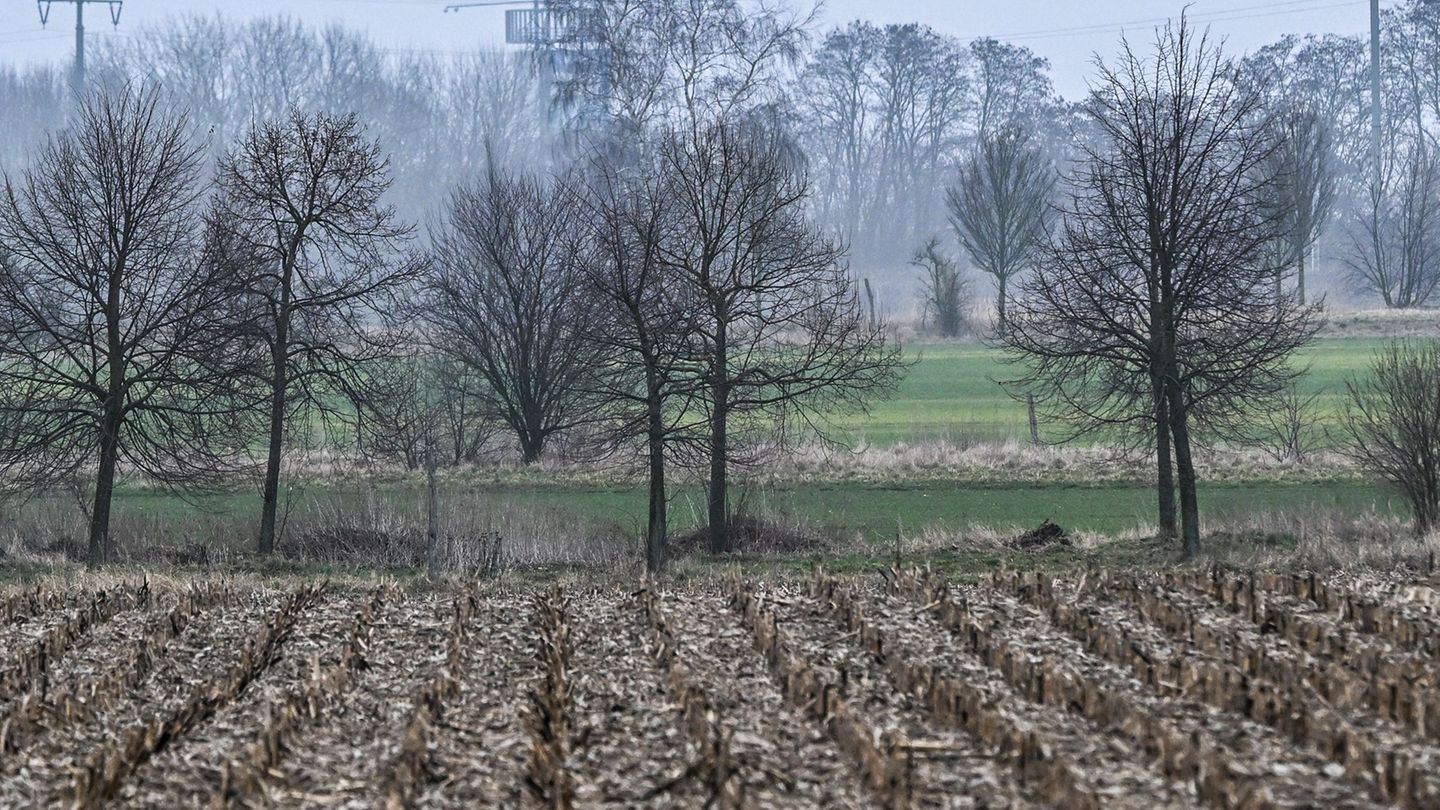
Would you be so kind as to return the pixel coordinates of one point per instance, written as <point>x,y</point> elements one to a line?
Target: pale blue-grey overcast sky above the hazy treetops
<point>1068,32</point>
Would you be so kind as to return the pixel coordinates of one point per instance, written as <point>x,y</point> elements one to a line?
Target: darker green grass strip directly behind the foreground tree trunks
<point>839,511</point>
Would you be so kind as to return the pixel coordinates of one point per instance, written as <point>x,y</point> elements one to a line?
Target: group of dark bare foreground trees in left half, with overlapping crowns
<point>188,326</point>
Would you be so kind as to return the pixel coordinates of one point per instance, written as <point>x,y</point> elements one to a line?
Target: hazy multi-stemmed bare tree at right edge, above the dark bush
<point>1395,241</point>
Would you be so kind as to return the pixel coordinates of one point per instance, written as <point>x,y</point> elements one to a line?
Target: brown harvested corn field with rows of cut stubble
<point>1179,690</point>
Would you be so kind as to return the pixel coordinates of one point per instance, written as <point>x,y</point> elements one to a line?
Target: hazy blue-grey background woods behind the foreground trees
<point>886,117</point>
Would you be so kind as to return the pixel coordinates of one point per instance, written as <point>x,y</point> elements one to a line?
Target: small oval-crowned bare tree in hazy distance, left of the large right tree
<point>1000,208</point>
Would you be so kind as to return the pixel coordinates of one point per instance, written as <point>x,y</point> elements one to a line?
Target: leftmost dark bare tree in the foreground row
<point>119,339</point>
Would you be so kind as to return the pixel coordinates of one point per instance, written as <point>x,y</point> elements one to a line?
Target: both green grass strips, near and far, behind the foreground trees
<point>951,393</point>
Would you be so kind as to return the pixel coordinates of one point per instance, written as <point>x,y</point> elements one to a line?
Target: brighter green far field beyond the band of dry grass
<point>953,393</point>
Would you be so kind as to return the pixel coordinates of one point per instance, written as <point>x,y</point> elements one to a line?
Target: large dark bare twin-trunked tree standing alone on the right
<point>1156,308</point>
